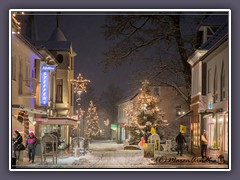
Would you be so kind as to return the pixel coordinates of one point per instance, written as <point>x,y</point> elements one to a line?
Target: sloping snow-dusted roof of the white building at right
<point>220,33</point>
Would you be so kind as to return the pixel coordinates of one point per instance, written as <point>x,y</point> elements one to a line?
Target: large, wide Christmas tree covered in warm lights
<point>145,115</point>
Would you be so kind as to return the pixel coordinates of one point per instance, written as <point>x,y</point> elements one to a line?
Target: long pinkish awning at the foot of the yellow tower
<point>57,121</point>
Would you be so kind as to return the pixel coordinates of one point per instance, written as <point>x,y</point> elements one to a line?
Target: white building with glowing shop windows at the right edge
<point>209,95</point>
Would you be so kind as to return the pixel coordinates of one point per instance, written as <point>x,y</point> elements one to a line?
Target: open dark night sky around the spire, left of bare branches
<point>88,41</point>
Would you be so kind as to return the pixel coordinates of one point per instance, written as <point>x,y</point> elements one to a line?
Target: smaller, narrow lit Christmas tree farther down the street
<point>92,119</point>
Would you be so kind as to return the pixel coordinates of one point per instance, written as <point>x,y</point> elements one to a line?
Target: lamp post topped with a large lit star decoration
<point>79,86</point>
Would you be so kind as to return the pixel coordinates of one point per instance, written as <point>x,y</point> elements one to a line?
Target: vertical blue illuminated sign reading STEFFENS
<point>44,87</point>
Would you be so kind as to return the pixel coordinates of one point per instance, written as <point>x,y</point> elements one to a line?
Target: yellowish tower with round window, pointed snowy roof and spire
<point>62,93</point>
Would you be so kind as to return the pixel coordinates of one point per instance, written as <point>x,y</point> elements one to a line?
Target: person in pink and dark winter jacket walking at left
<point>31,144</point>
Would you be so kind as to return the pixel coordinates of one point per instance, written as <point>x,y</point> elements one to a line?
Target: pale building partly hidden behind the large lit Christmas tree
<point>171,104</point>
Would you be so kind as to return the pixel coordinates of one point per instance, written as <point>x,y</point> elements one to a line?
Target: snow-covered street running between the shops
<point>106,154</point>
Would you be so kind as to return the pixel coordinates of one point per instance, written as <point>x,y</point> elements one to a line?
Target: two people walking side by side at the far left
<point>30,145</point>
